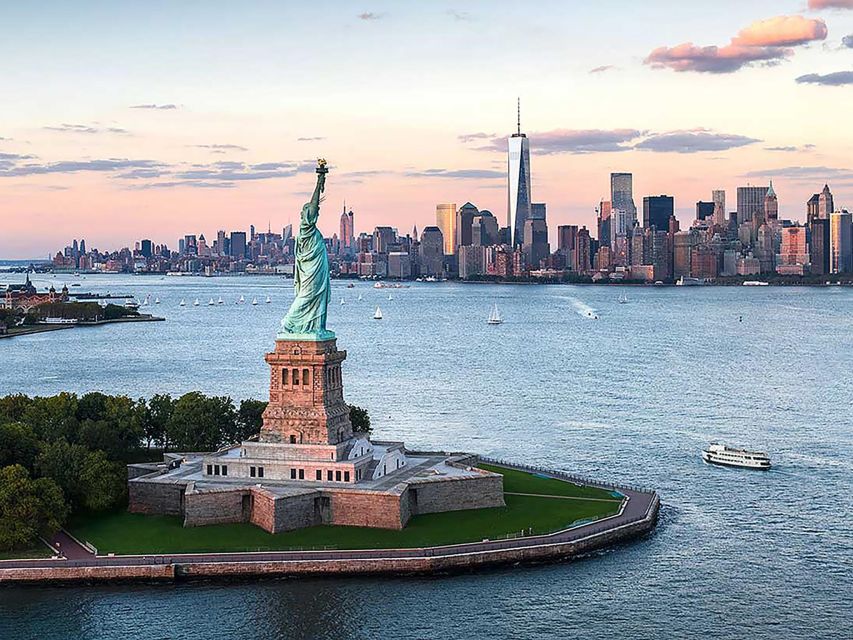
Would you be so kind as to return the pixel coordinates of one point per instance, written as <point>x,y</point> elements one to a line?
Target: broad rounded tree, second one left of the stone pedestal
<point>199,423</point>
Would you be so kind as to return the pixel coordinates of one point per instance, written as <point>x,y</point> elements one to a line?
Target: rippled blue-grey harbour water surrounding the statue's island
<point>632,396</point>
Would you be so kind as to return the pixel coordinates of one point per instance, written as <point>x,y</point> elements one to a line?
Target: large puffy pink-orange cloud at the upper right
<point>768,41</point>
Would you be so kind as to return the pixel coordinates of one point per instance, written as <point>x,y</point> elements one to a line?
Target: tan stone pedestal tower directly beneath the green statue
<point>306,394</point>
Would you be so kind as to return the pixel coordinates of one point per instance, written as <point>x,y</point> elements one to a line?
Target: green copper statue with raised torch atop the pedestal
<point>306,318</point>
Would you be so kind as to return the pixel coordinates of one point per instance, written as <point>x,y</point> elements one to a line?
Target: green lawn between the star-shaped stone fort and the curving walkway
<point>126,533</point>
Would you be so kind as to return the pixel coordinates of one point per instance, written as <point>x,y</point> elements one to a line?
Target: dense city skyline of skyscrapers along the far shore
<point>469,243</point>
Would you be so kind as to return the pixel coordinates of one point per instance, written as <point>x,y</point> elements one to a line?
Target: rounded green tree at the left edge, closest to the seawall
<point>28,508</point>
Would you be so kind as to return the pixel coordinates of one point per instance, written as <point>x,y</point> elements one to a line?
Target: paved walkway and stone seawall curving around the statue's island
<point>637,518</point>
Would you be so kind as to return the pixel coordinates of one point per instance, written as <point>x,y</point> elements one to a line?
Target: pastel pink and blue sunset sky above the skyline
<point>122,121</point>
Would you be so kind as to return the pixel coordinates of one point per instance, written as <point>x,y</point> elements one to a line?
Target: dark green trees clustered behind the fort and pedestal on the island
<point>65,454</point>
